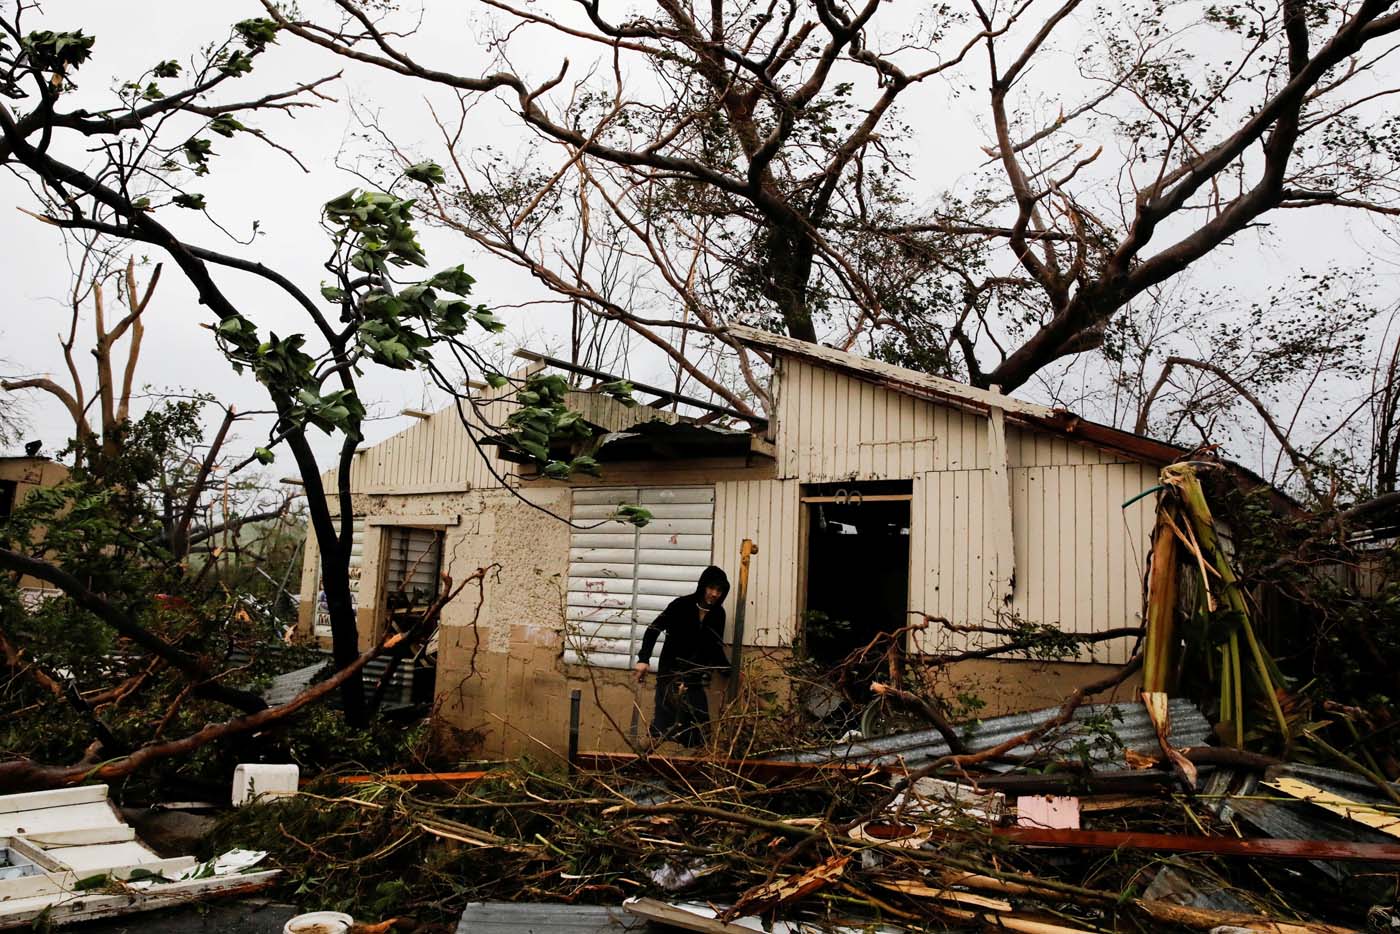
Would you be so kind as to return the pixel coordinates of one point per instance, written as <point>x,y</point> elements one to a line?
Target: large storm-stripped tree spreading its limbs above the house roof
<point>750,155</point>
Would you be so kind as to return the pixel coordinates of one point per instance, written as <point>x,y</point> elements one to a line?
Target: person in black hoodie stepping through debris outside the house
<point>694,649</point>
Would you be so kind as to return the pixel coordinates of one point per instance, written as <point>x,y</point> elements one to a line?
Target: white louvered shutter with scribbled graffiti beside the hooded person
<point>621,578</point>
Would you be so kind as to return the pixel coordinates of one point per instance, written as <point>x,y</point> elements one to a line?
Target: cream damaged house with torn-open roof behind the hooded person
<point>873,494</point>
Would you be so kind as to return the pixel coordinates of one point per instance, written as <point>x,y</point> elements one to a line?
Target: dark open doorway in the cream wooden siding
<point>857,568</point>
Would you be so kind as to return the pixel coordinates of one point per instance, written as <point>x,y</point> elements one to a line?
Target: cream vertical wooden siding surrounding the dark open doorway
<point>1077,554</point>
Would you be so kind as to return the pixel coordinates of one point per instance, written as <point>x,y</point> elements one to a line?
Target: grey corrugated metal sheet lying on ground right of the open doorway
<point>1135,732</point>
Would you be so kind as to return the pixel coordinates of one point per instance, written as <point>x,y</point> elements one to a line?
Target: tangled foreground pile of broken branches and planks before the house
<point>852,839</point>
